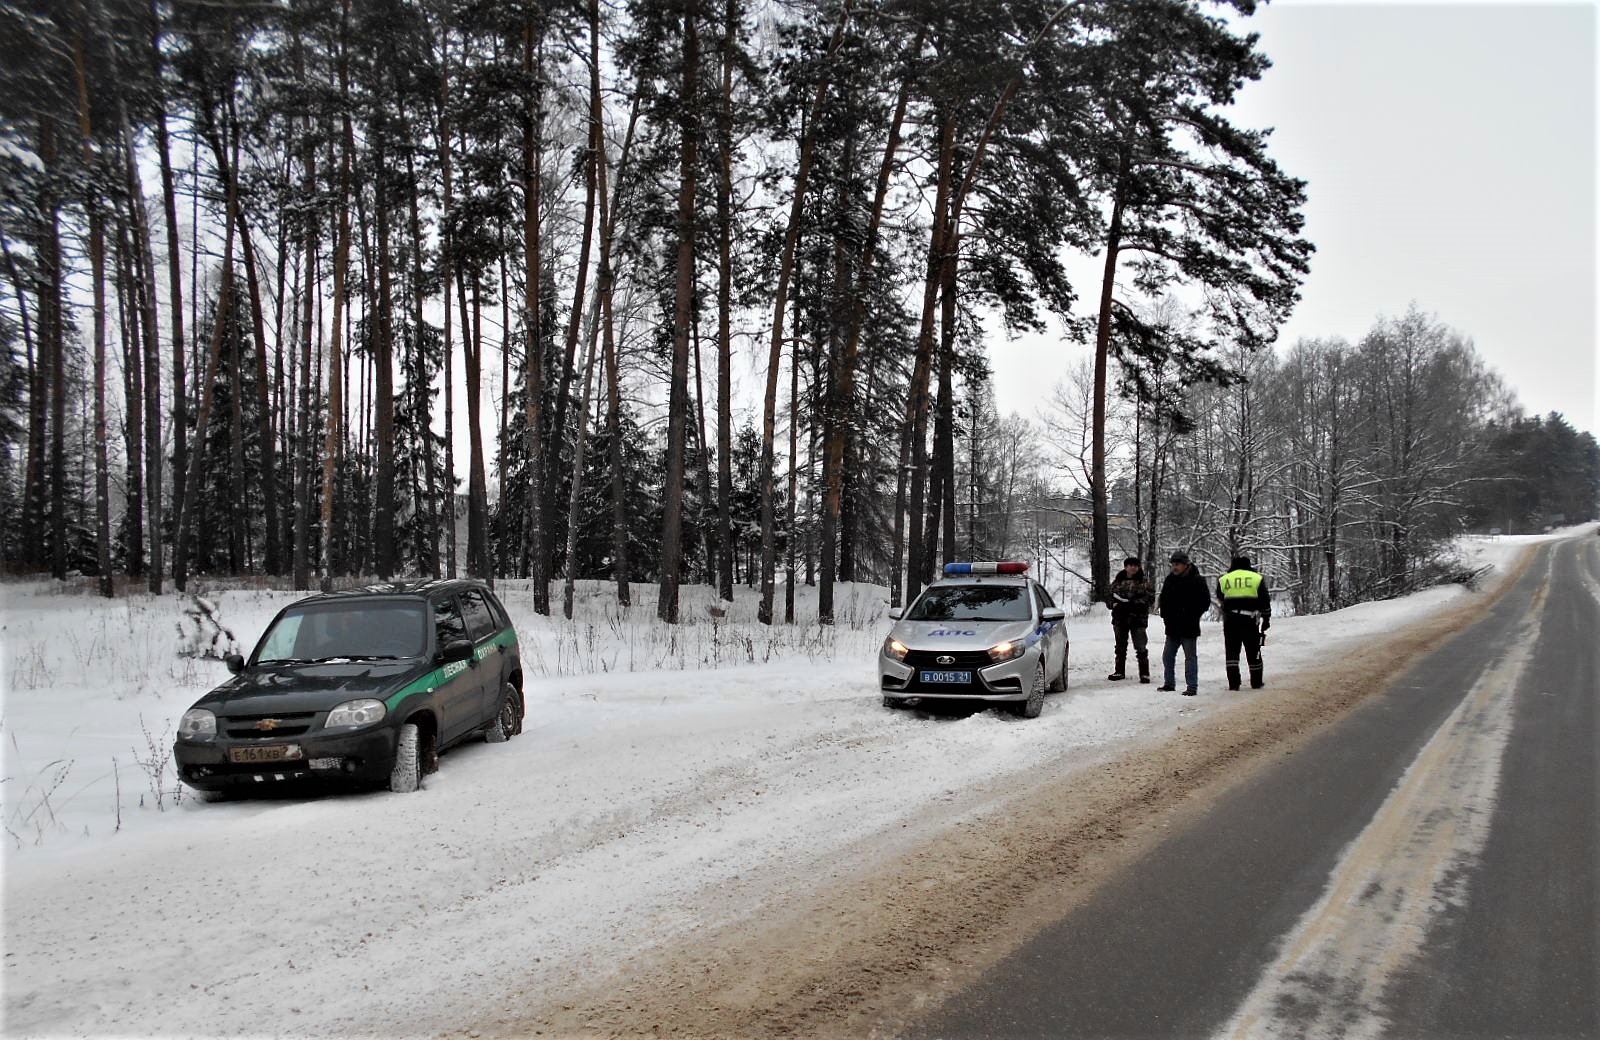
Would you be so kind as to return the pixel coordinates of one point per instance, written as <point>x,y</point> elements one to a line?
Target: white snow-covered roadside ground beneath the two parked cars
<point>666,783</point>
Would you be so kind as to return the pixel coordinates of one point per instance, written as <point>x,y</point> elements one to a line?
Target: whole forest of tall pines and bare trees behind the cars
<point>255,255</point>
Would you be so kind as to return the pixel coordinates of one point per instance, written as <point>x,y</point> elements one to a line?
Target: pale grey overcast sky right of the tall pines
<point>1450,156</point>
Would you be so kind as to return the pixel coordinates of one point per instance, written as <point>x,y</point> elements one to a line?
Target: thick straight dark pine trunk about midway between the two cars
<point>678,399</point>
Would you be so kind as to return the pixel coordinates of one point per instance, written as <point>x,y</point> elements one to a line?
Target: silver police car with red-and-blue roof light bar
<point>983,633</point>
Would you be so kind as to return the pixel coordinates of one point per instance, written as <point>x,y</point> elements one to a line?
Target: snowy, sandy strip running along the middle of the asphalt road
<point>1410,862</point>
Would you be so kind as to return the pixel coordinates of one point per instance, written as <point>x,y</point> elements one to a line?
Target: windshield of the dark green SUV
<point>332,631</point>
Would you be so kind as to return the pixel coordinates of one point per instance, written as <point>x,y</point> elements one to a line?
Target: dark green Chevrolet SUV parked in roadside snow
<point>362,687</point>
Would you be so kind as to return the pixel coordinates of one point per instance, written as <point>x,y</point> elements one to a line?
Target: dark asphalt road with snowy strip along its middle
<point>1426,868</point>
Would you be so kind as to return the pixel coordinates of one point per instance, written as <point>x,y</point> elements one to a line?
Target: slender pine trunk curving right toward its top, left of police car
<point>775,348</point>
